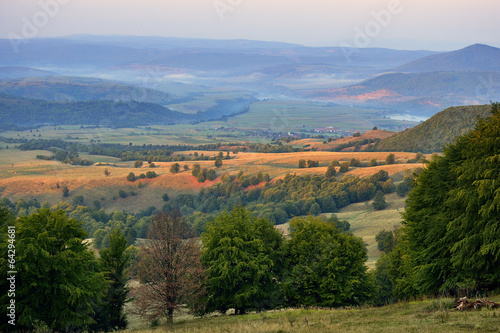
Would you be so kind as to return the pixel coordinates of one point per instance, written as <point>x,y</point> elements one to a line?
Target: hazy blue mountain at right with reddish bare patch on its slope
<point>467,76</point>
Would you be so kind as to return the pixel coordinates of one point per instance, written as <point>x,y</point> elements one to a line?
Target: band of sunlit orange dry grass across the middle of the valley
<point>21,174</point>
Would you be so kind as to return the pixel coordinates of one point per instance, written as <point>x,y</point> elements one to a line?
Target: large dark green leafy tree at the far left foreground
<point>58,278</point>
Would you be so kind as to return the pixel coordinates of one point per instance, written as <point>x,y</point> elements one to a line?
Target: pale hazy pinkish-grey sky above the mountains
<point>401,24</point>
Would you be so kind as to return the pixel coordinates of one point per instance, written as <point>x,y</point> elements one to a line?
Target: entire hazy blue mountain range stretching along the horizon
<point>418,83</point>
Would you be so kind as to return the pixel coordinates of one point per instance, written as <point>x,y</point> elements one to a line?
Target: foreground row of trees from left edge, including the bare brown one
<point>242,263</point>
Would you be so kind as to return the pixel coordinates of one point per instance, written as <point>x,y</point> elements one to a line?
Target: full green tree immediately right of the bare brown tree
<point>242,257</point>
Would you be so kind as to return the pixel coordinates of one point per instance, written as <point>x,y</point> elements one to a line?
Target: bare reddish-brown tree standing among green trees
<point>169,268</point>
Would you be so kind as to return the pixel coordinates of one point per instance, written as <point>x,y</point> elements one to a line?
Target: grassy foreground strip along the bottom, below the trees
<point>430,315</point>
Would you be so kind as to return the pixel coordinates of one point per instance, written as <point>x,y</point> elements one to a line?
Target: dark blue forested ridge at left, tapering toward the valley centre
<point>18,112</point>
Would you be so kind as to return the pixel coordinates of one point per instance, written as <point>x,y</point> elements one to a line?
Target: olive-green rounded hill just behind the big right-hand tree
<point>433,134</point>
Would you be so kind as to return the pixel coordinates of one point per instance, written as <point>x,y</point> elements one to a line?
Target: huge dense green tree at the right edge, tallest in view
<point>453,217</point>
